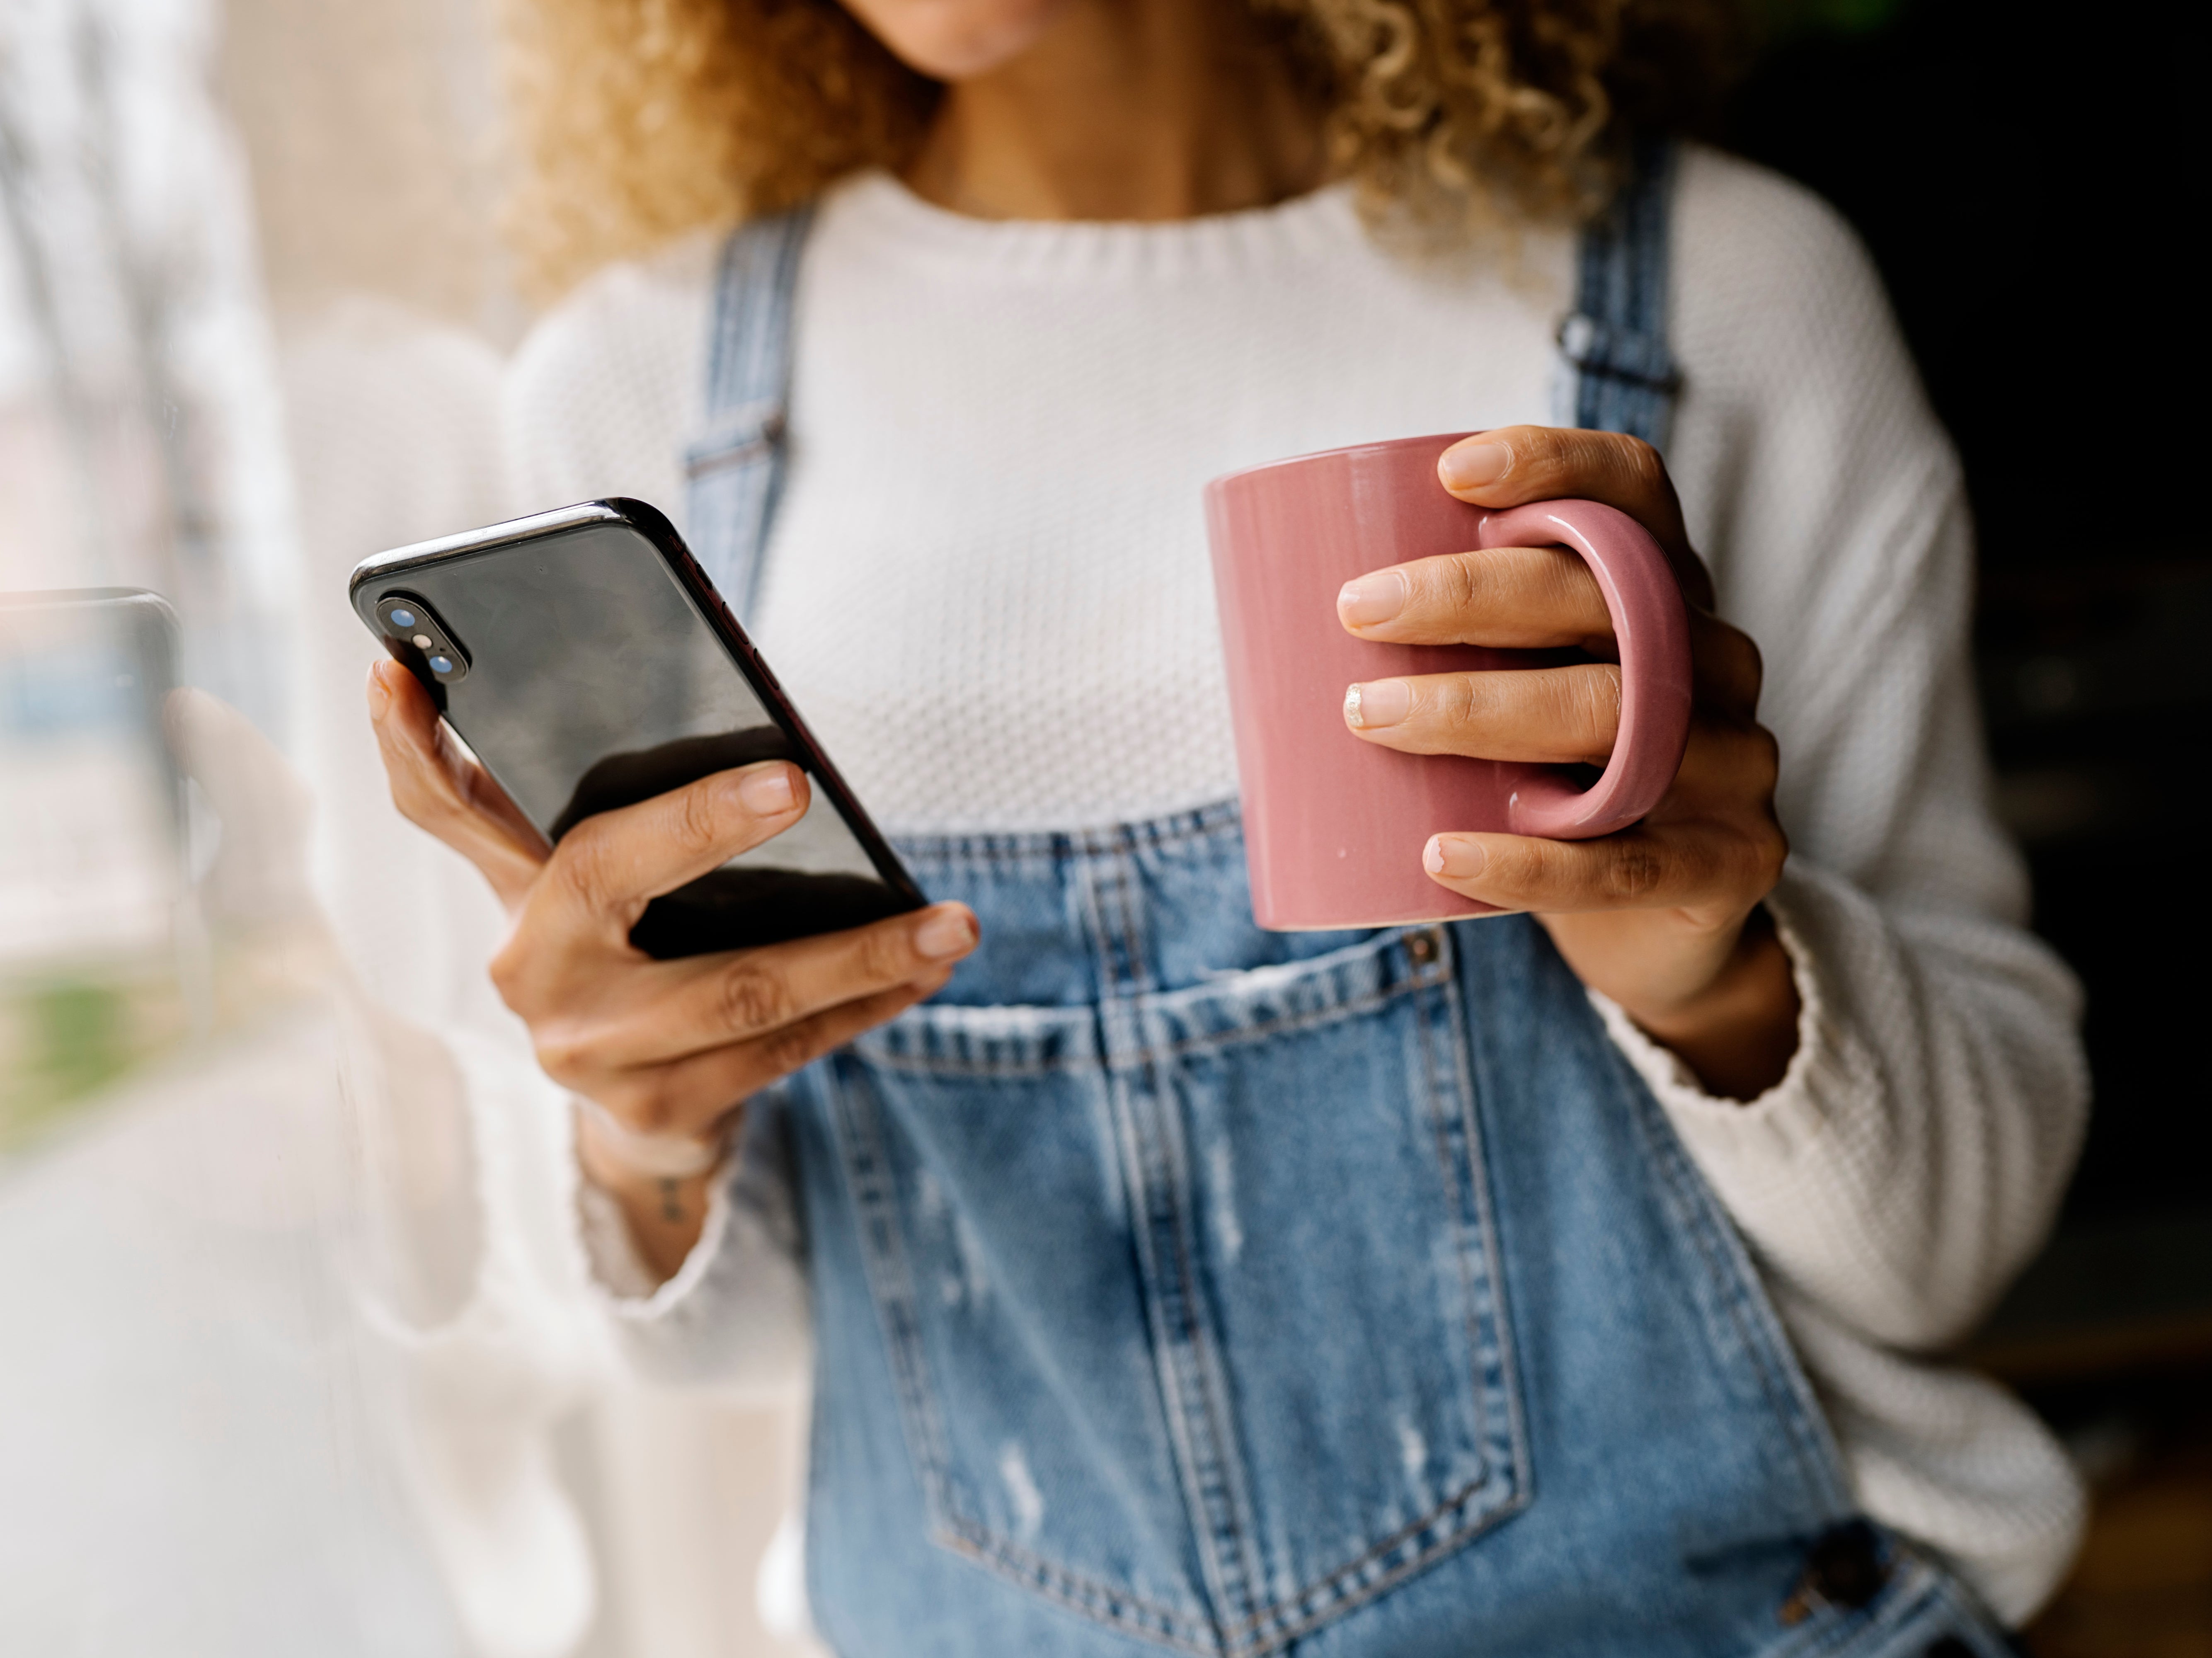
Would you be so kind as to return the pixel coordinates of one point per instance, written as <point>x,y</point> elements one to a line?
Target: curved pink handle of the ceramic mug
<point>1653,632</point>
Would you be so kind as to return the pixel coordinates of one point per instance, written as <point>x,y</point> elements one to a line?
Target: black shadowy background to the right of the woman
<point>2032,180</point>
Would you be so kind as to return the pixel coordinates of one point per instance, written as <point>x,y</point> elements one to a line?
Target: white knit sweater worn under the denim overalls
<point>990,592</point>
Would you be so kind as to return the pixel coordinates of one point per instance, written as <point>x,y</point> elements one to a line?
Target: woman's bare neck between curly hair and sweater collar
<point>1127,110</point>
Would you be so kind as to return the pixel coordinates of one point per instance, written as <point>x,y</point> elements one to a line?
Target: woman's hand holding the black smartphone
<point>667,1048</point>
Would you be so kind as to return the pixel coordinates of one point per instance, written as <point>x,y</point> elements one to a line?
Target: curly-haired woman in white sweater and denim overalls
<point>1187,1287</point>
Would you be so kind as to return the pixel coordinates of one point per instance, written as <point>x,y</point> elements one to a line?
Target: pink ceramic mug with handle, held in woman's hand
<point>1335,827</point>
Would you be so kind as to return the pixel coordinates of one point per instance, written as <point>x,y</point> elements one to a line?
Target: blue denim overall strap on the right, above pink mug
<point>1616,371</point>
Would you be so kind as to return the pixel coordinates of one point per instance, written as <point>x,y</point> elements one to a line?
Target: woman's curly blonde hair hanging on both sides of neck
<point>640,121</point>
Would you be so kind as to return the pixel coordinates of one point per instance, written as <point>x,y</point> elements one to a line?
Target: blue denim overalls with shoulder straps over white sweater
<point>1185,1287</point>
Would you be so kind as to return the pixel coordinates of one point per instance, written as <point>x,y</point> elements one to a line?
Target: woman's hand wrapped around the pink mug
<point>1662,918</point>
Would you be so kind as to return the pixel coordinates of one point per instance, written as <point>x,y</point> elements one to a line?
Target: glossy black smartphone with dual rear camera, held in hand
<point>589,665</point>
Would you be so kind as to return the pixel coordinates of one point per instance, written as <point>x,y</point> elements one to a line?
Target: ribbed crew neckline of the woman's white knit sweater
<point>895,220</point>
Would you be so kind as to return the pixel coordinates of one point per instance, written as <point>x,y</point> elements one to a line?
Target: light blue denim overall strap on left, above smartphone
<point>735,464</point>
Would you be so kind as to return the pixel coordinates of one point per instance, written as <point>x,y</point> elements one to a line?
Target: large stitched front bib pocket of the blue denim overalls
<point>1193,1303</point>
